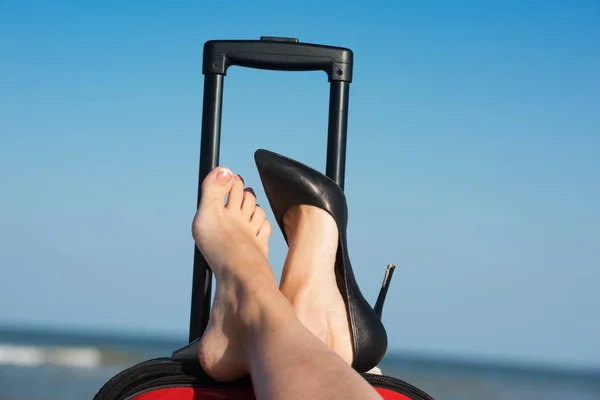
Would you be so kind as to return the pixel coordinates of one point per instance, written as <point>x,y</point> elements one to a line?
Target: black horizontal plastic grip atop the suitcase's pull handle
<point>280,54</point>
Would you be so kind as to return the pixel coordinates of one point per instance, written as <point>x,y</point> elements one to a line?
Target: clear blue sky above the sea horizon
<point>473,162</point>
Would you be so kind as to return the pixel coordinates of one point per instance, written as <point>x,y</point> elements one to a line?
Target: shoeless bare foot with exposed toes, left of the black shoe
<point>233,239</point>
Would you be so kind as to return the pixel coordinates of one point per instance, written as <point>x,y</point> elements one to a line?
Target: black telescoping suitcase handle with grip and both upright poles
<point>272,53</point>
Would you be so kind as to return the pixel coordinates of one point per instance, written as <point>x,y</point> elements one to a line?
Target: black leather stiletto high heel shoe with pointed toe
<point>288,183</point>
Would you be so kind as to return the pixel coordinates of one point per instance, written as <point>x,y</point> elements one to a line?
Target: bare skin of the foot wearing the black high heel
<point>308,280</point>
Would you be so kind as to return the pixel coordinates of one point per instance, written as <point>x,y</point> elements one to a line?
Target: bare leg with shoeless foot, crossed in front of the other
<point>253,327</point>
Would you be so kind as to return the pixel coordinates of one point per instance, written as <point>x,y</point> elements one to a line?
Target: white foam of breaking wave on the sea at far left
<point>33,356</point>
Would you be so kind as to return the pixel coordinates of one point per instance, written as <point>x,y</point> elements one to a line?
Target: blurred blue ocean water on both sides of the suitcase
<point>37,365</point>
